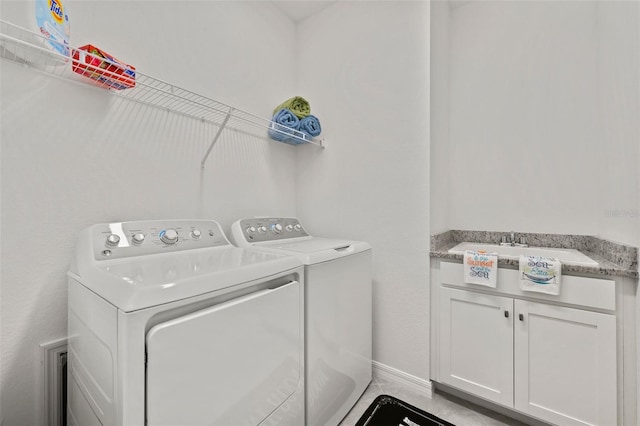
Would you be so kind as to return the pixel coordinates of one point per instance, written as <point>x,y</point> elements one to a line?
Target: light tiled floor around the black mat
<point>449,408</point>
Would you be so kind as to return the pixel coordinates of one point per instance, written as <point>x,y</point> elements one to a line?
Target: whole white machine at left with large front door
<point>170,324</point>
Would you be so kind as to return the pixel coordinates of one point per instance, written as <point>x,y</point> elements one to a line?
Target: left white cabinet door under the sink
<point>476,344</point>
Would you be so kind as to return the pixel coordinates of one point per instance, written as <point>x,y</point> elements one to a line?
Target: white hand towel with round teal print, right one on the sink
<point>541,274</point>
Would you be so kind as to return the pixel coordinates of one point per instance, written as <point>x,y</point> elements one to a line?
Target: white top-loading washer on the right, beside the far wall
<point>338,286</point>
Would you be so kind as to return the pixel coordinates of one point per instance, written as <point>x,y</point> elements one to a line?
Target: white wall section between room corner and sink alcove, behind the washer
<point>365,68</point>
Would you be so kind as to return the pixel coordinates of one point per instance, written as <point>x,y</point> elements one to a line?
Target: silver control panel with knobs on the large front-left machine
<point>136,238</point>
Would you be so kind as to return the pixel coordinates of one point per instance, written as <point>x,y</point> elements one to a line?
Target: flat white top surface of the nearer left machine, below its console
<point>147,281</point>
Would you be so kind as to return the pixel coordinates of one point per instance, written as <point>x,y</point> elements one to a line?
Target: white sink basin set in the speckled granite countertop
<point>569,256</point>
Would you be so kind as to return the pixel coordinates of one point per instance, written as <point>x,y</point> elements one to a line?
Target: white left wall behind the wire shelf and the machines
<point>73,156</point>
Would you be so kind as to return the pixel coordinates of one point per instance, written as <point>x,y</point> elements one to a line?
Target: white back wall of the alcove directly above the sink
<point>523,116</point>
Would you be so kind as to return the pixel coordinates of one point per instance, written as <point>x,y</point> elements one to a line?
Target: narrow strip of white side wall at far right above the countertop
<point>618,29</point>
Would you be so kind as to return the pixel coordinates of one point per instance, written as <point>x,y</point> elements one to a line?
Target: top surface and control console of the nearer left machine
<point>154,270</point>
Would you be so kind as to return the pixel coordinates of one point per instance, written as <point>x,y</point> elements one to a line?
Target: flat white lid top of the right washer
<point>311,250</point>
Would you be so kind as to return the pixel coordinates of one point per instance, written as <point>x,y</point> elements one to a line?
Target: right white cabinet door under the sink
<point>565,364</point>
